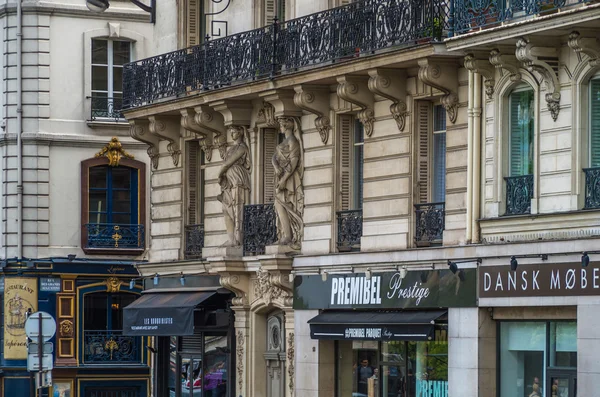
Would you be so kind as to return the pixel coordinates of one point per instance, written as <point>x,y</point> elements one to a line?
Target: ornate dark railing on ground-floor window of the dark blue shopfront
<point>105,347</point>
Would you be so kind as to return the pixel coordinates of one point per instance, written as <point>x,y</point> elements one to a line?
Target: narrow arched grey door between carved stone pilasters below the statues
<point>275,356</point>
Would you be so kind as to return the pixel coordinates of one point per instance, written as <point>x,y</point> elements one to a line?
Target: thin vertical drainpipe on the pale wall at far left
<point>19,131</point>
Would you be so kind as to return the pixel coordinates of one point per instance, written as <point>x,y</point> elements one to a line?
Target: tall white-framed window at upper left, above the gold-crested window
<point>108,58</point>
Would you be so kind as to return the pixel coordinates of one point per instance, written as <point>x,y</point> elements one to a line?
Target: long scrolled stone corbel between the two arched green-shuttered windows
<point>535,59</point>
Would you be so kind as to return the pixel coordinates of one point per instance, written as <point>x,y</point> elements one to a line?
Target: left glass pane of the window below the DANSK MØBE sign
<point>522,358</point>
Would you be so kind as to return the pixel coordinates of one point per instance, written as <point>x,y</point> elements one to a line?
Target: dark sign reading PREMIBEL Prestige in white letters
<point>418,289</point>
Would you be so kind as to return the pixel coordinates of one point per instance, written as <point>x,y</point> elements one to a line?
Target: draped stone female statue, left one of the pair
<point>234,178</point>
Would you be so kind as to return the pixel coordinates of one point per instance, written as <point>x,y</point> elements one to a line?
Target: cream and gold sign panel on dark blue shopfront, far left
<point>20,296</point>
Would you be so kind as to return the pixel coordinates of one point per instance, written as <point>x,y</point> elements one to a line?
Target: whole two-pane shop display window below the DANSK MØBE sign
<point>538,359</point>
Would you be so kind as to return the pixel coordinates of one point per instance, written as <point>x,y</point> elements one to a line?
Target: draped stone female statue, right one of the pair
<point>289,193</point>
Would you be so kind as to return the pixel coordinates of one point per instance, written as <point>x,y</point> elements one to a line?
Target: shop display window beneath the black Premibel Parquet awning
<point>393,368</point>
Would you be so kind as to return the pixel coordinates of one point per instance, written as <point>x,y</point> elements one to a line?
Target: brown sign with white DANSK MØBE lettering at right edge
<point>547,279</point>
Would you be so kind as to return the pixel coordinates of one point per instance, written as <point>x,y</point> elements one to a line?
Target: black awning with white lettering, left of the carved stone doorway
<point>163,314</point>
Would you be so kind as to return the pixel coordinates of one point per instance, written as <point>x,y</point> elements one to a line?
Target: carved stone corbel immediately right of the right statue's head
<point>315,99</point>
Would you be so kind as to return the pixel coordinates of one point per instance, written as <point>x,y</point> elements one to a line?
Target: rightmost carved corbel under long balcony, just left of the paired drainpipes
<point>443,77</point>
